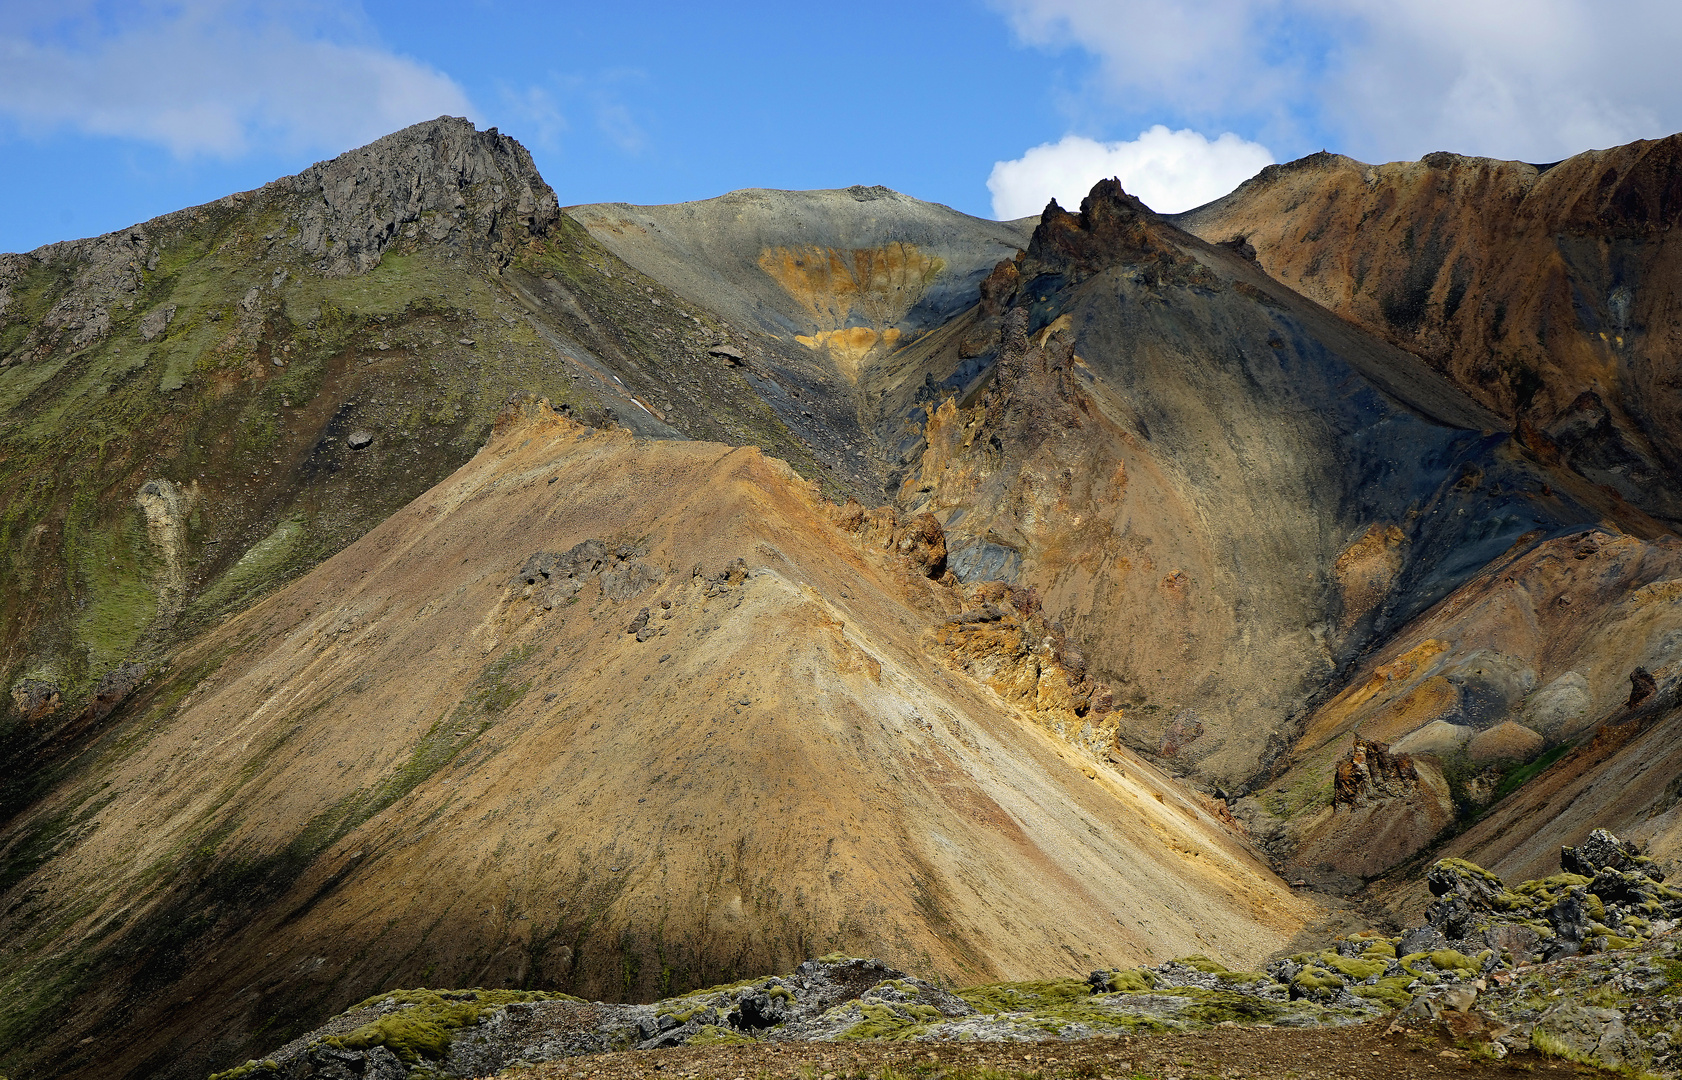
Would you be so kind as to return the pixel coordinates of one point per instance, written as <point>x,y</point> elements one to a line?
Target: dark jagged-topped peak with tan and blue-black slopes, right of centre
<point>1222,490</point>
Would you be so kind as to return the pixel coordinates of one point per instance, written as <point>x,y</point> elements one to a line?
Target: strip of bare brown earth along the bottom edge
<point>1232,1054</point>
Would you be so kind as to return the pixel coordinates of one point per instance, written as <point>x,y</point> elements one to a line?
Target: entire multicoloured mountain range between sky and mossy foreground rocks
<point>411,581</point>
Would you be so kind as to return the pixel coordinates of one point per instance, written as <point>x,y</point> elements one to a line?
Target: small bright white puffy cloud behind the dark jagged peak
<point>1168,171</point>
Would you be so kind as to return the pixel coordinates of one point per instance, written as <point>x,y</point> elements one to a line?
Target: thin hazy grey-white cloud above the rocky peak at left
<point>214,78</point>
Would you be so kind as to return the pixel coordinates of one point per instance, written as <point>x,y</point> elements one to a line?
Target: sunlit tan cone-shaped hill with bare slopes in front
<point>416,768</point>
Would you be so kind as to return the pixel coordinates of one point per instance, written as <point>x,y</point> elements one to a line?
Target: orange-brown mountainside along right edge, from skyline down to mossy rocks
<point>1548,294</point>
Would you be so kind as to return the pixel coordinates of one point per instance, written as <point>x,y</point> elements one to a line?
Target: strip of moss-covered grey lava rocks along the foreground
<point>1580,966</point>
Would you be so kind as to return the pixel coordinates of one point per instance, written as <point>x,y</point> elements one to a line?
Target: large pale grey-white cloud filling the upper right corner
<point>1535,80</point>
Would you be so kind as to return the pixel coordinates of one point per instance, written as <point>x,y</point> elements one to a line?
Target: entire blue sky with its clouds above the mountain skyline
<point>112,114</point>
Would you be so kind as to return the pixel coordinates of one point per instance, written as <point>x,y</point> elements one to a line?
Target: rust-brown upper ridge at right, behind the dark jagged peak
<point>1547,292</point>
